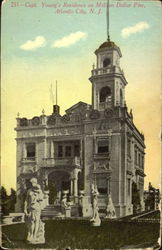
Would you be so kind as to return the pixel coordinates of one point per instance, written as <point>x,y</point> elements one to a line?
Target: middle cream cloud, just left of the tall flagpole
<point>67,41</point>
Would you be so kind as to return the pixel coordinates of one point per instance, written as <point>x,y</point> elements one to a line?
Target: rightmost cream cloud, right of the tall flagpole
<point>138,27</point>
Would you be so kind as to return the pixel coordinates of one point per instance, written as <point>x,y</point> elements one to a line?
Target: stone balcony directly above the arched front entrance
<point>71,161</point>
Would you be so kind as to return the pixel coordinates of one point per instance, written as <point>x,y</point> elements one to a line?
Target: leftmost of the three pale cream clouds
<point>35,44</point>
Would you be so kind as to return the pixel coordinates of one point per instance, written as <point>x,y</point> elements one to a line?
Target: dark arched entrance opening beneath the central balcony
<point>58,181</point>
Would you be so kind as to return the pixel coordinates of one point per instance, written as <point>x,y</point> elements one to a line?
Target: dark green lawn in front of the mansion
<point>79,234</point>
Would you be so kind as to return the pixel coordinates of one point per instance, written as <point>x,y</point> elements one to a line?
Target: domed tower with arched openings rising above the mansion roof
<point>108,81</point>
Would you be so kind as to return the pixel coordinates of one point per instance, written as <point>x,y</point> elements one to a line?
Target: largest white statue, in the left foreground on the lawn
<point>32,209</point>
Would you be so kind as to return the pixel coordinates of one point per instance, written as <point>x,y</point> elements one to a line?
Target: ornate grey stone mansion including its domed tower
<point>90,144</point>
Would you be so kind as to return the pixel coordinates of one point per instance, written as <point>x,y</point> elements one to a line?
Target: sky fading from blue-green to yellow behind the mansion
<point>44,41</point>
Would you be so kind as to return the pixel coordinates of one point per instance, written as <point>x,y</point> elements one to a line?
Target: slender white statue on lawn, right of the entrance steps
<point>96,221</point>
